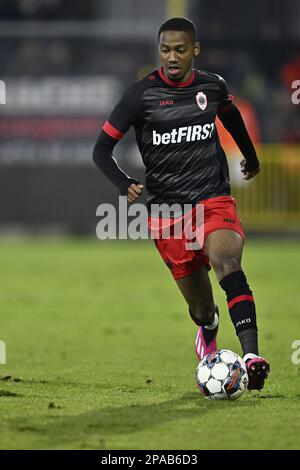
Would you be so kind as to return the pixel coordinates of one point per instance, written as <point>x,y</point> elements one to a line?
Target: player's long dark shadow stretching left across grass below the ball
<point>100,425</point>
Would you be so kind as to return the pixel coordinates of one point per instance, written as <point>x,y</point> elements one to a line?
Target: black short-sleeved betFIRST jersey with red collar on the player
<point>176,134</point>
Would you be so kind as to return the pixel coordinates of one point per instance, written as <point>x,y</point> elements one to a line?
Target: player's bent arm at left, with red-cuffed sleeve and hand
<point>120,120</point>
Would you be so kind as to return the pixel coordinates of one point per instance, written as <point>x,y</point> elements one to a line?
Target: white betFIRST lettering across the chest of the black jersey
<point>187,134</point>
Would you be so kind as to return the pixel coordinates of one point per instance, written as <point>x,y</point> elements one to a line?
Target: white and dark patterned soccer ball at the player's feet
<point>222,375</point>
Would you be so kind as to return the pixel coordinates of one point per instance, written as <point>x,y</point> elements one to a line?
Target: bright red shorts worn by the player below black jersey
<point>219,213</point>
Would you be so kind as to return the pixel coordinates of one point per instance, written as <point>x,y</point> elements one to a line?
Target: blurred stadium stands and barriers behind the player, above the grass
<point>65,64</point>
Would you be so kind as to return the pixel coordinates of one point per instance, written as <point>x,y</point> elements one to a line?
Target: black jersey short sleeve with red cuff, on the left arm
<point>124,114</point>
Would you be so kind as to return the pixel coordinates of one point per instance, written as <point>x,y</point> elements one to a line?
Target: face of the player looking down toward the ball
<point>177,53</point>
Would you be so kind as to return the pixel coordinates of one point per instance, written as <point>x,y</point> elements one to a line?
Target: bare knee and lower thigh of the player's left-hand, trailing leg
<point>196,287</point>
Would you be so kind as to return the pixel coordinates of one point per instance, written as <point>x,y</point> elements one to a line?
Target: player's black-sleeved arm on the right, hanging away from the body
<point>233,122</point>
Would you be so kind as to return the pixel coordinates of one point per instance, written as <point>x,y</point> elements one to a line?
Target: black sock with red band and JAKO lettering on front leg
<point>242,310</point>
